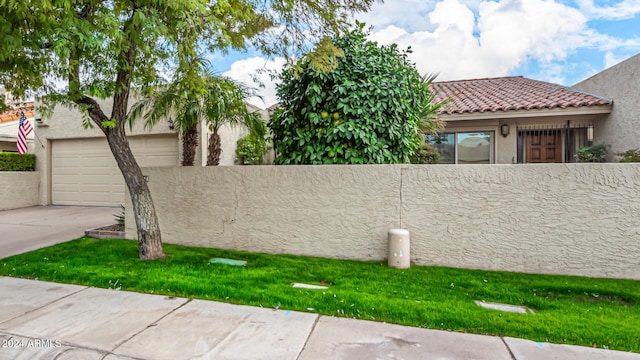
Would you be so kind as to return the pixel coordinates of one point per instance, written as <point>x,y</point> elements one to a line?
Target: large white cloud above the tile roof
<point>497,39</point>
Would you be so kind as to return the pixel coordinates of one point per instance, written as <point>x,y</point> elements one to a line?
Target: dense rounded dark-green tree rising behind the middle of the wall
<point>367,110</point>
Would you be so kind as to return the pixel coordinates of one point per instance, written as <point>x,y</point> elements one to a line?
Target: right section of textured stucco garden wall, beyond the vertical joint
<point>573,219</point>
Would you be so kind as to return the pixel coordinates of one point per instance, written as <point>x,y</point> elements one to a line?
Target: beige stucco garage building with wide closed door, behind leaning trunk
<point>77,168</point>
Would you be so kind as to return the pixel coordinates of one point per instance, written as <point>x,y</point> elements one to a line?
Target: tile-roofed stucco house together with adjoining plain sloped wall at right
<point>514,119</point>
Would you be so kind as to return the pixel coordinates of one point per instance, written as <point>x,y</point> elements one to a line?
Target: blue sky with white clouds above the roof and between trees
<point>551,40</point>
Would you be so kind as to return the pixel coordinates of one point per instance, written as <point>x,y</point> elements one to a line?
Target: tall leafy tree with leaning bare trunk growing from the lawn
<point>103,49</point>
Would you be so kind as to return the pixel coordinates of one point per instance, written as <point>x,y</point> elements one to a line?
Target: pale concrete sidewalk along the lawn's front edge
<point>41,320</point>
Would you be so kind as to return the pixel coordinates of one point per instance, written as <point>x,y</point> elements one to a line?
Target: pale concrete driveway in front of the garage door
<point>31,228</point>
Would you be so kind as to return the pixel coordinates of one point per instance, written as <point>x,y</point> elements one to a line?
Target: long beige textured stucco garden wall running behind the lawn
<point>575,219</point>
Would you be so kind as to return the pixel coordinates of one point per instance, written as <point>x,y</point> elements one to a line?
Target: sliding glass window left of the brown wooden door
<point>463,147</point>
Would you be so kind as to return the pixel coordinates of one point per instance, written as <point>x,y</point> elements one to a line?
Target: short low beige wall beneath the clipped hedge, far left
<point>19,189</point>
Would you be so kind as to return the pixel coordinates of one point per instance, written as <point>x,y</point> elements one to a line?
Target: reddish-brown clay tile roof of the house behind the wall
<point>510,93</point>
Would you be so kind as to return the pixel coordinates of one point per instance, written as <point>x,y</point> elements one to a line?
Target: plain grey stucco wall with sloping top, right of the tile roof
<point>619,82</point>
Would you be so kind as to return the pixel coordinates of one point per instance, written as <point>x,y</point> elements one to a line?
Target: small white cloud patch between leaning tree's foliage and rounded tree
<point>257,68</point>
